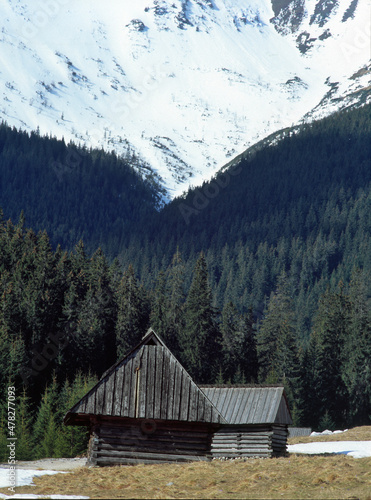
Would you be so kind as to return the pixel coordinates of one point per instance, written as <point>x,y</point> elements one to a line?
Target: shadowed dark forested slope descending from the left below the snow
<point>72,192</point>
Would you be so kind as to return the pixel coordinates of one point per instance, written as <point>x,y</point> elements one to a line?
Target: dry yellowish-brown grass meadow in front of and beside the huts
<point>293,477</point>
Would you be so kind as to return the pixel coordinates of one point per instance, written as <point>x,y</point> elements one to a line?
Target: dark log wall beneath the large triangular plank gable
<point>147,441</point>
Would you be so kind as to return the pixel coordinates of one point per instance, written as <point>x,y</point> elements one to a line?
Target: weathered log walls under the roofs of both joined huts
<point>132,441</point>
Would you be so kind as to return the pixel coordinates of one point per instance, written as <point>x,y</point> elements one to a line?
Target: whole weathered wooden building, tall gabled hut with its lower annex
<point>147,409</point>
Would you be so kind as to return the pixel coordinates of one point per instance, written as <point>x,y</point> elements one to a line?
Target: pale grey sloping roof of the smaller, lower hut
<point>250,405</point>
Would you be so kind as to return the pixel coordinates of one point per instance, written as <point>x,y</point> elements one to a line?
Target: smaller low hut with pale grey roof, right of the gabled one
<point>257,421</point>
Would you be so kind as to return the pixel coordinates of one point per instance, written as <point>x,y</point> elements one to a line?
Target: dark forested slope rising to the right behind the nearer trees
<point>301,206</point>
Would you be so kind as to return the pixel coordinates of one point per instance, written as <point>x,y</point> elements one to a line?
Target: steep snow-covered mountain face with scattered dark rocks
<point>179,86</point>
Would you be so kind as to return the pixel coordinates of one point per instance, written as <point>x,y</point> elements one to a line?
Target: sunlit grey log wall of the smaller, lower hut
<point>249,441</point>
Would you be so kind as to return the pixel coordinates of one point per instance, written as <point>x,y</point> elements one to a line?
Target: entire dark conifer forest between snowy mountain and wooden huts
<point>261,275</point>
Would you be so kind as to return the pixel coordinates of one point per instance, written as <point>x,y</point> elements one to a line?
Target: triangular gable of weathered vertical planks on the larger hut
<point>149,383</point>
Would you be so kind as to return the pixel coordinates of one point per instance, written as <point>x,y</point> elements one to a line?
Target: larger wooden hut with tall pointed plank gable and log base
<point>146,409</point>
